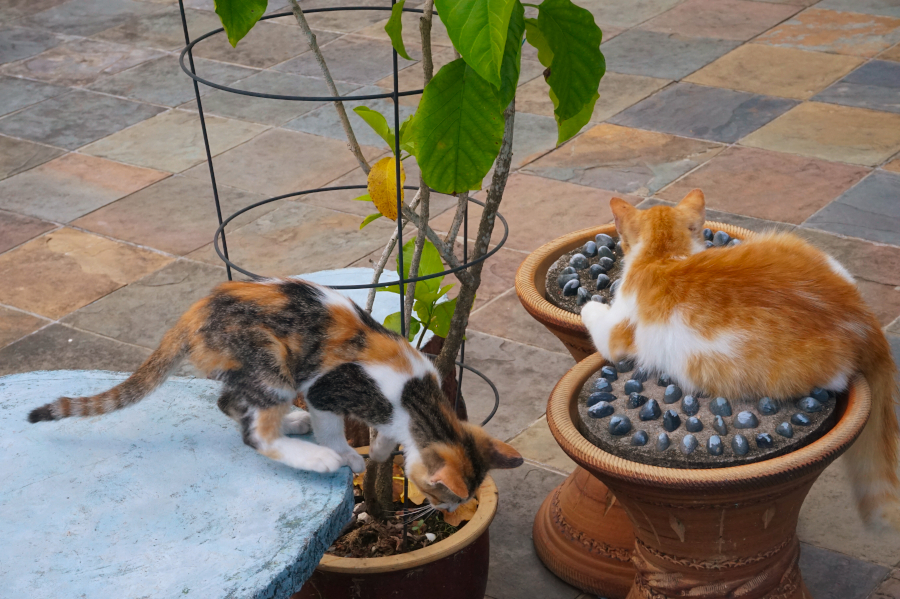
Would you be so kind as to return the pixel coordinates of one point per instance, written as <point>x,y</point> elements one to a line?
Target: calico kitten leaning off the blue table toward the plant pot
<point>268,341</point>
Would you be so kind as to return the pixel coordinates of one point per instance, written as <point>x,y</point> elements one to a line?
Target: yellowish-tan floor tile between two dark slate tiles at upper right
<point>799,74</point>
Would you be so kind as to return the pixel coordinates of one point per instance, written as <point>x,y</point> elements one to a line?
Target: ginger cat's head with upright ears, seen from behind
<point>674,230</point>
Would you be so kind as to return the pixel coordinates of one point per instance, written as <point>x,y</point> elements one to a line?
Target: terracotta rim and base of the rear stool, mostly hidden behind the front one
<point>580,532</point>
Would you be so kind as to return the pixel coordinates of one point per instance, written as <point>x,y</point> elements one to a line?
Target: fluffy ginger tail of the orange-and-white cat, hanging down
<point>873,458</point>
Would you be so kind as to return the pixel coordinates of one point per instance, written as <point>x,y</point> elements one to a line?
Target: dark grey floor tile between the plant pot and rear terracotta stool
<point>516,572</point>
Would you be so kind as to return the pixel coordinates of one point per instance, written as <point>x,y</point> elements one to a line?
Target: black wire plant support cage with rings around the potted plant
<point>222,250</point>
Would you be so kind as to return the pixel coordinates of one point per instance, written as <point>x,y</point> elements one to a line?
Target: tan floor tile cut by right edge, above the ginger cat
<point>831,132</point>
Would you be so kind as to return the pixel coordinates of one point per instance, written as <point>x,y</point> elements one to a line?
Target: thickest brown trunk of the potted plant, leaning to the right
<point>447,358</point>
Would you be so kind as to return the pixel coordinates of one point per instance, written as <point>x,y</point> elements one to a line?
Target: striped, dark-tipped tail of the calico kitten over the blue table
<point>150,375</point>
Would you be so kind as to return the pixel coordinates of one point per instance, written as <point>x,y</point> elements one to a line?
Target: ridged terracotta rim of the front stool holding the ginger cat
<point>817,454</point>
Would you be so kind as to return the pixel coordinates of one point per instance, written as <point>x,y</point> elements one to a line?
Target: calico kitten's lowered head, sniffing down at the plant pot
<point>450,473</point>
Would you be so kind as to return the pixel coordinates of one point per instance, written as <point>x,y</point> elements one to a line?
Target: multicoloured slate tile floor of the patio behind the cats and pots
<point>786,112</point>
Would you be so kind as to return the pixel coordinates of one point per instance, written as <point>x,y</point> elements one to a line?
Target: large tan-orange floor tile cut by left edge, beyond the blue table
<point>64,270</point>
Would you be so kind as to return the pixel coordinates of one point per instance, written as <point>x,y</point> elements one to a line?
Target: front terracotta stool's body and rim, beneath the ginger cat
<point>710,533</point>
